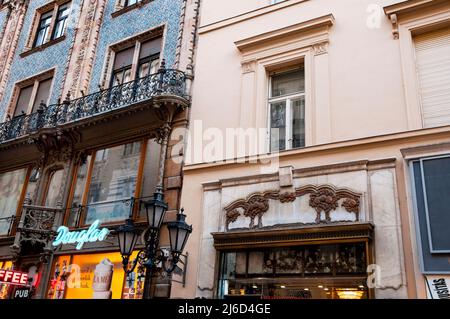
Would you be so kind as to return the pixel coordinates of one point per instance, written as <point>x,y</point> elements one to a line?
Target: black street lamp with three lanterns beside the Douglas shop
<point>151,254</point>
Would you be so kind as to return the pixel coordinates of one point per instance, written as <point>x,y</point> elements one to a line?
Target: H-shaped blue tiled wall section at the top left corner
<point>55,56</point>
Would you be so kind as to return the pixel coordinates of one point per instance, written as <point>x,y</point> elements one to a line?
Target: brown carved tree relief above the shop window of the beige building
<point>325,198</point>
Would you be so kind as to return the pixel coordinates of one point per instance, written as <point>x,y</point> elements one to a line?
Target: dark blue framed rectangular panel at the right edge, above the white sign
<point>431,190</point>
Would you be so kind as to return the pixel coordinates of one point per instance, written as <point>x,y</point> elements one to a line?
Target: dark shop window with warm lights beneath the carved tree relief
<point>307,272</point>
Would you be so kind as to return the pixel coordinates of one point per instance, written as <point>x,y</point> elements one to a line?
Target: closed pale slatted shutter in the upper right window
<point>433,68</point>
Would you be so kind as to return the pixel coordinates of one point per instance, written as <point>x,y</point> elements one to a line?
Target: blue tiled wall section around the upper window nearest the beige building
<point>136,21</point>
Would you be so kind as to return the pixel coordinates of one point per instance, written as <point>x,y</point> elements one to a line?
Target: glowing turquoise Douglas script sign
<point>90,235</point>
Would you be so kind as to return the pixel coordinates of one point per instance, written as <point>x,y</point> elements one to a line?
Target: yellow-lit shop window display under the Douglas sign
<point>94,276</point>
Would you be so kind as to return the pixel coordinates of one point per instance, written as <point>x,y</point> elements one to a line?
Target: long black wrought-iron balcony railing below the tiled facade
<point>164,82</point>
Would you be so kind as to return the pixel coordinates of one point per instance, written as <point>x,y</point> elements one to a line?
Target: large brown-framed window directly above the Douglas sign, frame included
<point>112,177</point>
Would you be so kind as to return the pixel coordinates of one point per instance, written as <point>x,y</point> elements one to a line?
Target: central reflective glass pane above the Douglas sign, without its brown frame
<point>113,182</point>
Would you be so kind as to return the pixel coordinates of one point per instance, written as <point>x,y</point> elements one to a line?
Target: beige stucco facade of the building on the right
<point>363,124</point>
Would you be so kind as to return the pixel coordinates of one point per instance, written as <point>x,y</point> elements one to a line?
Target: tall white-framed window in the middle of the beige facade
<point>287,110</point>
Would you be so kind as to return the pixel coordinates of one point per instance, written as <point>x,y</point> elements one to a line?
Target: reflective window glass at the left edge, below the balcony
<point>11,185</point>
